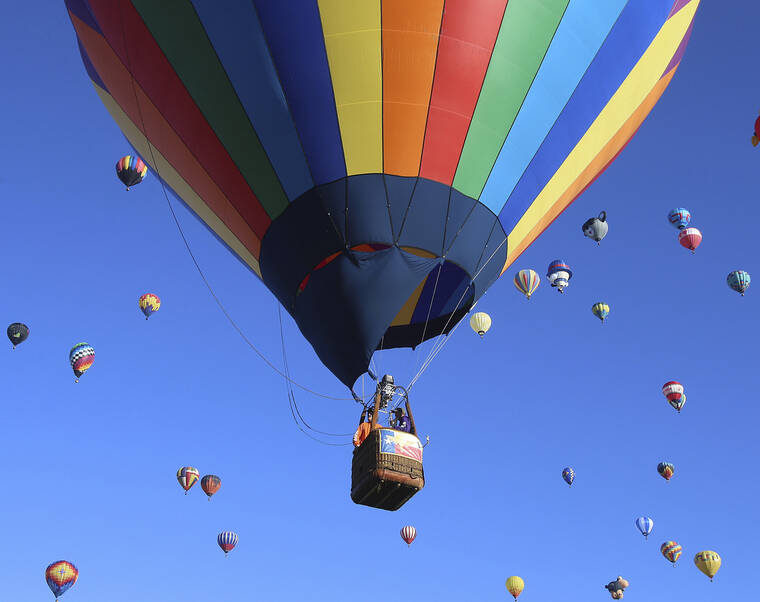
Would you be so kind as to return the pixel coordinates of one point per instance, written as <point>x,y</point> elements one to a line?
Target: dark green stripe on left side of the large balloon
<point>176,28</point>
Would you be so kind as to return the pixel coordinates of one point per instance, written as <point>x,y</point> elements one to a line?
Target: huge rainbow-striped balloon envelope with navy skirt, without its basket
<point>379,164</point>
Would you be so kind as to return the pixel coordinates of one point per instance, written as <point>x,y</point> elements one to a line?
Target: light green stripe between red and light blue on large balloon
<point>524,37</point>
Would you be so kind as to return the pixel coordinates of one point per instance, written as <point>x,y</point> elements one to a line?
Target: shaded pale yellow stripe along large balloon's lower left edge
<point>176,182</point>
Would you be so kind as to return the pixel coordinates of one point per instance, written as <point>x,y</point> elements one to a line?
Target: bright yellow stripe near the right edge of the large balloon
<point>631,94</point>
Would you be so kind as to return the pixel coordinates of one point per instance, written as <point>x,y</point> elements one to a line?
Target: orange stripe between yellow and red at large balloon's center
<point>410,42</point>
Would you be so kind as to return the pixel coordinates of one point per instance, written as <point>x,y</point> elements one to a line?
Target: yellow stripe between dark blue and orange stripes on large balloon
<point>353,38</point>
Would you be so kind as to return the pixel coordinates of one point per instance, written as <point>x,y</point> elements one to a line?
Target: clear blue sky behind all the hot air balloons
<point>89,468</point>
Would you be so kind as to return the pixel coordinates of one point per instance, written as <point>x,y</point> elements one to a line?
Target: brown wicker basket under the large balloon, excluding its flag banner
<point>385,481</point>
